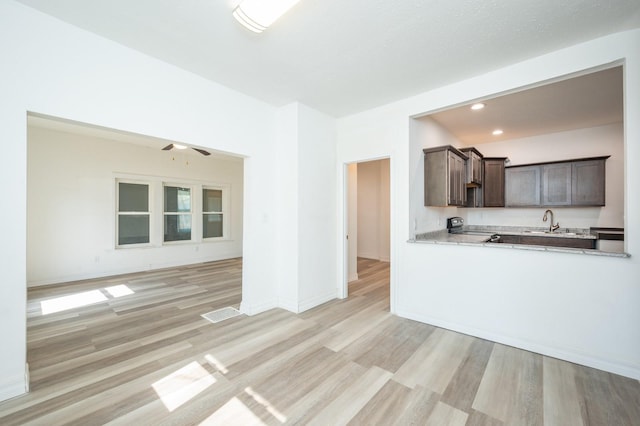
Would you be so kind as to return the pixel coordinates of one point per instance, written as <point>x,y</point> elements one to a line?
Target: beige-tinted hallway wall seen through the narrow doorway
<point>373,210</point>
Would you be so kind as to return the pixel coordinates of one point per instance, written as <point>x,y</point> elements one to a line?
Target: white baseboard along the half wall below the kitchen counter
<point>589,360</point>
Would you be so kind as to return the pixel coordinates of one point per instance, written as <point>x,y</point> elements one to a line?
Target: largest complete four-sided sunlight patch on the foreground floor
<point>182,385</point>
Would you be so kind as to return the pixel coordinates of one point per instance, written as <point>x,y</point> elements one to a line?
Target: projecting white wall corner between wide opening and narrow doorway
<point>306,161</point>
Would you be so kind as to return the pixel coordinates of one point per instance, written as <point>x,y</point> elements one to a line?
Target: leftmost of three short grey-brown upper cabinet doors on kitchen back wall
<point>522,186</point>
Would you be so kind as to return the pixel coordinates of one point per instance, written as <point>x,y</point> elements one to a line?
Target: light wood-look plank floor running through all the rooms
<point>148,358</point>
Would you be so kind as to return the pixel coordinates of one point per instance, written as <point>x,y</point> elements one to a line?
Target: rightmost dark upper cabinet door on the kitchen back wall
<point>588,183</point>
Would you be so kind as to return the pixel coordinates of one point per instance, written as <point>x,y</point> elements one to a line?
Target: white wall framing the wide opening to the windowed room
<point>55,69</point>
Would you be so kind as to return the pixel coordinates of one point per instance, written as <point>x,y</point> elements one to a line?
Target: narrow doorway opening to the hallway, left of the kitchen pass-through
<point>368,225</point>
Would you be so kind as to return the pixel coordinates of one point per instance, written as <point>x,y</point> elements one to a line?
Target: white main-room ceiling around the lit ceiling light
<point>341,57</point>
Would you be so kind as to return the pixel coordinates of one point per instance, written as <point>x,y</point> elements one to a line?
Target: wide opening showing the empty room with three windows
<point>122,227</point>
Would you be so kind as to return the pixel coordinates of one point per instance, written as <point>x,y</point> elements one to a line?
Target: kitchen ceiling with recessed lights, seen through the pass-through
<point>590,100</point>
